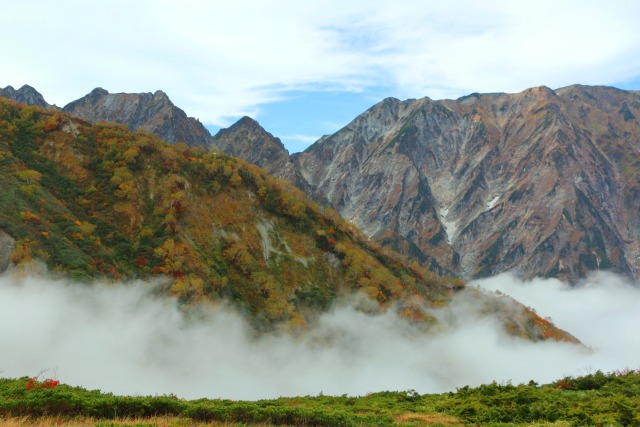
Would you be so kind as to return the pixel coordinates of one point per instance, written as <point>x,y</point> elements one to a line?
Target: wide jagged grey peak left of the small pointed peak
<point>150,111</point>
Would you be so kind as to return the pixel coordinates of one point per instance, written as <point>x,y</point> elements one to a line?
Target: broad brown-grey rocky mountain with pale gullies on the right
<point>541,182</point>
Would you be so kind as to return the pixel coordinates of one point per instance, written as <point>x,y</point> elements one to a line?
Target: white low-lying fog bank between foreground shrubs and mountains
<point>125,340</point>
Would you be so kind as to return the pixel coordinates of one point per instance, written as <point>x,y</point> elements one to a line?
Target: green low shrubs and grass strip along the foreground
<point>594,399</point>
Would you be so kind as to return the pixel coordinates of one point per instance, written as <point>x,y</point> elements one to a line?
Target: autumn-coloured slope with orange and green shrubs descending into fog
<point>100,200</point>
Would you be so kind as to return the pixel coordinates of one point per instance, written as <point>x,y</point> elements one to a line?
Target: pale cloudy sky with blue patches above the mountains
<point>304,69</point>
